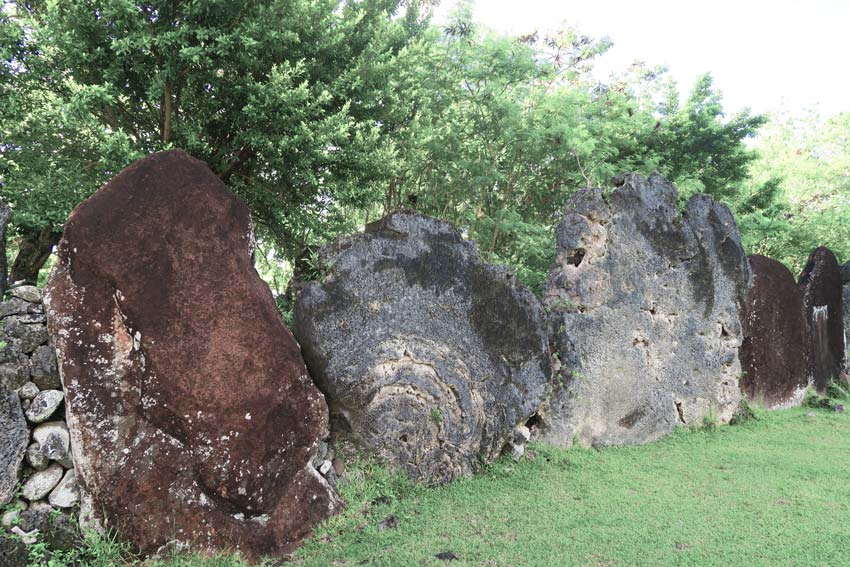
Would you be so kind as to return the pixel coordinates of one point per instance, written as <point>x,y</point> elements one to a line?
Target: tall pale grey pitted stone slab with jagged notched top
<point>644,313</point>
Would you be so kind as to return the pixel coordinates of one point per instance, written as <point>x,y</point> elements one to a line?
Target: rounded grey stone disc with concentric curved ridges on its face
<point>430,356</point>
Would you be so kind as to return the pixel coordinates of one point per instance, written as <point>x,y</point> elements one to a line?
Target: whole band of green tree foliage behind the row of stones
<point>324,114</point>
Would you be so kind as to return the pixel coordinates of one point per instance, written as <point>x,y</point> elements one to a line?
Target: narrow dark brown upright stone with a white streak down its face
<point>820,284</point>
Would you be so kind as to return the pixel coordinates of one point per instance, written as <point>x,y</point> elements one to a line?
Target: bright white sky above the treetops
<point>767,55</point>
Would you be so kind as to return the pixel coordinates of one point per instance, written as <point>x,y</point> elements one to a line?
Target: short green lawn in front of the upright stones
<point>770,492</point>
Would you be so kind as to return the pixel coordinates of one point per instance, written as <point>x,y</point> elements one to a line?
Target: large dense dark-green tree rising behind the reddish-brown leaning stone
<point>279,98</point>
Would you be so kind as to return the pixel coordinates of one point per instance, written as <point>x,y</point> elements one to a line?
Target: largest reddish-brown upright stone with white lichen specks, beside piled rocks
<point>191,413</point>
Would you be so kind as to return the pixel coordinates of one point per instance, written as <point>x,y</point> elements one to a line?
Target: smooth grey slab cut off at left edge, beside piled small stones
<point>14,436</point>
